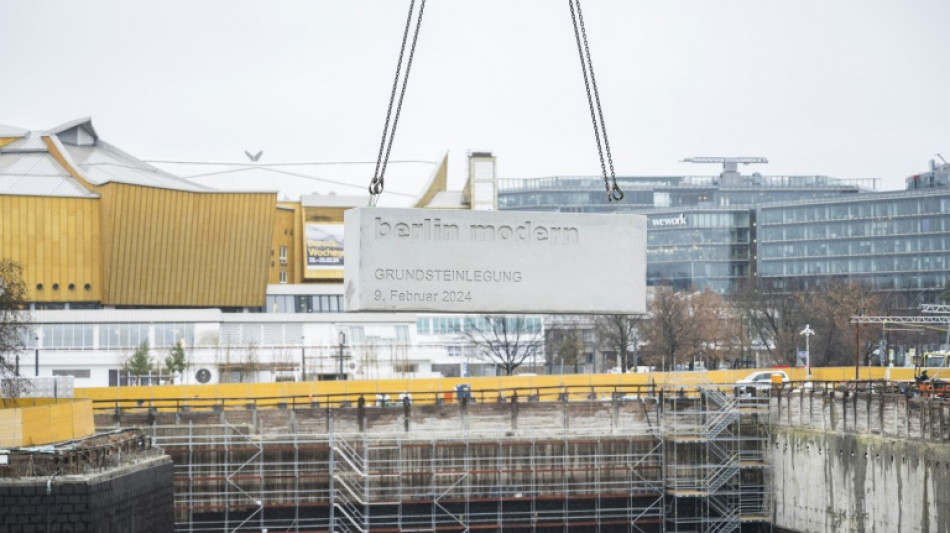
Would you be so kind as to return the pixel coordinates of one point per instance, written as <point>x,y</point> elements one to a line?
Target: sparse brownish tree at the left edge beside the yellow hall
<point>15,324</point>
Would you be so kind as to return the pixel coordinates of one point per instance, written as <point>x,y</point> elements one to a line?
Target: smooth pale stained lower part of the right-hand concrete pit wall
<point>832,482</point>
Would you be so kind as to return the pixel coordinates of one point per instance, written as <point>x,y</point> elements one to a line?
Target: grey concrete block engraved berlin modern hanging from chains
<point>494,262</point>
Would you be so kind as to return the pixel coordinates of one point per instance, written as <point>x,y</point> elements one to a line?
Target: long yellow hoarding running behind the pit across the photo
<point>599,385</point>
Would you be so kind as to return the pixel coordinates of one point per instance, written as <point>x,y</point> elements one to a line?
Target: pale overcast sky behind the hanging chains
<point>846,88</point>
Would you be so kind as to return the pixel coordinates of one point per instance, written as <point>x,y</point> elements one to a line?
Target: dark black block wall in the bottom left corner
<point>133,499</point>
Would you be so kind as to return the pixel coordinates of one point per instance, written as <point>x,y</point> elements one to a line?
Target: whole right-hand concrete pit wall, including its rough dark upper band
<point>846,461</point>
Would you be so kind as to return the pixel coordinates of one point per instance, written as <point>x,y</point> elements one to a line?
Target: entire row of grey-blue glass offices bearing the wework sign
<point>717,232</point>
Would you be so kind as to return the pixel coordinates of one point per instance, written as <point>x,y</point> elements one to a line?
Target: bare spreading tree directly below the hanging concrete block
<point>505,340</point>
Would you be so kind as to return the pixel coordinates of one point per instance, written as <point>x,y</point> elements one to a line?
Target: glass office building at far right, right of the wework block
<point>888,241</point>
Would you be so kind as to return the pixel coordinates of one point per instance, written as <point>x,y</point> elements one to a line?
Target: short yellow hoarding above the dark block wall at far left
<point>38,421</point>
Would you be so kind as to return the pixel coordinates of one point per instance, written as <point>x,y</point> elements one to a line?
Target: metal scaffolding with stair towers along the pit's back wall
<point>681,461</point>
